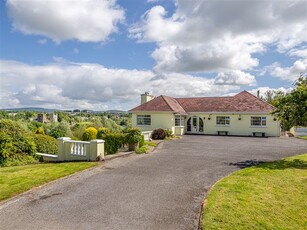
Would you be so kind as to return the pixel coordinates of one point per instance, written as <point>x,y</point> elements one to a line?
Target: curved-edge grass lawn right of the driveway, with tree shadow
<point>267,196</point>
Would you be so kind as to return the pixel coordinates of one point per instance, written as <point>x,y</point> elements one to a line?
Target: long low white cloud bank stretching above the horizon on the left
<point>64,84</point>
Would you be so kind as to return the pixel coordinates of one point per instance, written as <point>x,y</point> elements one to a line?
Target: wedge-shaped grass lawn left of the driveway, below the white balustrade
<point>17,179</point>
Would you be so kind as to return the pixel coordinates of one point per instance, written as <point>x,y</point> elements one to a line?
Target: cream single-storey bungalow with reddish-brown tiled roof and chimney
<point>242,114</point>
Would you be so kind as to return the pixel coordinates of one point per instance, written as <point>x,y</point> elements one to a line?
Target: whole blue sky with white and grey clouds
<point>102,54</point>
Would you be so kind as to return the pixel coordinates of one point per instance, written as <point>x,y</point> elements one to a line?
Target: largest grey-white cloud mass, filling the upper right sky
<point>213,36</point>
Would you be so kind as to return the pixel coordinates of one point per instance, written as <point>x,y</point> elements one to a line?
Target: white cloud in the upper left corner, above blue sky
<point>83,20</point>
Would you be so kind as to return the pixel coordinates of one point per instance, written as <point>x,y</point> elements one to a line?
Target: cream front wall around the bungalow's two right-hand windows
<point>239,127</point>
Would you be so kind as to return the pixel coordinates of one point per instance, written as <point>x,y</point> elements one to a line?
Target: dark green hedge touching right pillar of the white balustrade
<point>113,141</point>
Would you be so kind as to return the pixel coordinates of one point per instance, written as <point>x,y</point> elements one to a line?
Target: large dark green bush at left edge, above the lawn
<point>15,141</point>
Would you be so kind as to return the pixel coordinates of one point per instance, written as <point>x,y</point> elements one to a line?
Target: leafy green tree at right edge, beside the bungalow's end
<point>291,108</point>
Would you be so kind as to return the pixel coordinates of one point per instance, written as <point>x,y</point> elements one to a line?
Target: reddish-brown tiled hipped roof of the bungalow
<point>242,102</point>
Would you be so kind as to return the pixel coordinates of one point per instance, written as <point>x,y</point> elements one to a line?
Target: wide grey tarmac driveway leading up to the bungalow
<point>161,190</point>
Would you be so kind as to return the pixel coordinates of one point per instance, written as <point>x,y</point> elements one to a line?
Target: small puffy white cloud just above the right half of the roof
<point>235,77</point>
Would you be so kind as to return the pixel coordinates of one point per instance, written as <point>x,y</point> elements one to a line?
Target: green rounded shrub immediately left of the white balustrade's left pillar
<point>45,144</point>
